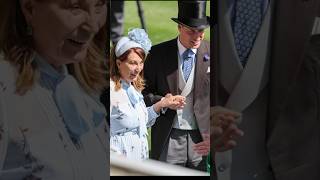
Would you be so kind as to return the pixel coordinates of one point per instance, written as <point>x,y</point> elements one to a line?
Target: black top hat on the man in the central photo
<point>192,14</point>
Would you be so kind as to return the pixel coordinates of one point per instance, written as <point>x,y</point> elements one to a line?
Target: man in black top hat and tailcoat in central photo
<point>181,66</point>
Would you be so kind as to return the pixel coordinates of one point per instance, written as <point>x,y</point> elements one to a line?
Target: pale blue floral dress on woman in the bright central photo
<point>129,119</point>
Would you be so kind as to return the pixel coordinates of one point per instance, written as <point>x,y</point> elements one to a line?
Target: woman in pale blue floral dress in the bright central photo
<point>129,116</point>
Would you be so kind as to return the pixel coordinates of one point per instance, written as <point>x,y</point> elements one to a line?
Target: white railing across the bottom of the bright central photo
<point>123,167</point>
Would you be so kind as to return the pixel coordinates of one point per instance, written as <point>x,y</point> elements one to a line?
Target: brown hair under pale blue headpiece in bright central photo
<point>114,70</point>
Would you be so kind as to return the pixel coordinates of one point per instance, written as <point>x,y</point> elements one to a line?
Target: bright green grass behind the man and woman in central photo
<point>157,15</point>
